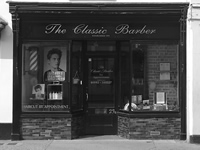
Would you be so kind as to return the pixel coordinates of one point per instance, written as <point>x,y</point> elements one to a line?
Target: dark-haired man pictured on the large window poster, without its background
<point>55,73</point>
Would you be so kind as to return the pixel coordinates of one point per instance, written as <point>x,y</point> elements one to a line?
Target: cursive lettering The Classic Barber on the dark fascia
<point>85,29</point>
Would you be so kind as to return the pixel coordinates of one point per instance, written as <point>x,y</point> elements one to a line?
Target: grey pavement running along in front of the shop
<point>98,143</point>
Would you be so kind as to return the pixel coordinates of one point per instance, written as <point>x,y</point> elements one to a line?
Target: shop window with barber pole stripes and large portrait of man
<point>44,76</point>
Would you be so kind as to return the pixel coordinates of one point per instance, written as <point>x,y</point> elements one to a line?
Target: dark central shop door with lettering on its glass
<point>100,111</point>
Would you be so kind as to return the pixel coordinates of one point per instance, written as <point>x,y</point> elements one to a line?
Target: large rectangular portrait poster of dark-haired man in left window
<point>54,63</point>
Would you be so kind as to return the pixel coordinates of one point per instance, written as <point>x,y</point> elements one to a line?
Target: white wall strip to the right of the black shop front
<point>193,72</point>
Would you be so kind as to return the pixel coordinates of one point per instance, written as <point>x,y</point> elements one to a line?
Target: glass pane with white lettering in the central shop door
<point>101,81</point>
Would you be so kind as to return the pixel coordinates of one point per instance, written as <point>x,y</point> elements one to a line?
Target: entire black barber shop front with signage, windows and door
<point>85,69</point>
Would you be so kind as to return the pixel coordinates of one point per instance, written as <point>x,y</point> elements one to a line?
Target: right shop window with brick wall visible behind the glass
<point>154,77</point>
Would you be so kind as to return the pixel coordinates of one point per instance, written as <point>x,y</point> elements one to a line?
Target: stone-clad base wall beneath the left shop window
<point>51,128</point>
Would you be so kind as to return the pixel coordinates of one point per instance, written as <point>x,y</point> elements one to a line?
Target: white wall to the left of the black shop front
<point>6,66</point>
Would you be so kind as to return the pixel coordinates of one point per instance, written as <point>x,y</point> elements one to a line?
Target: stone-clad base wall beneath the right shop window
<point>149,128</point>
